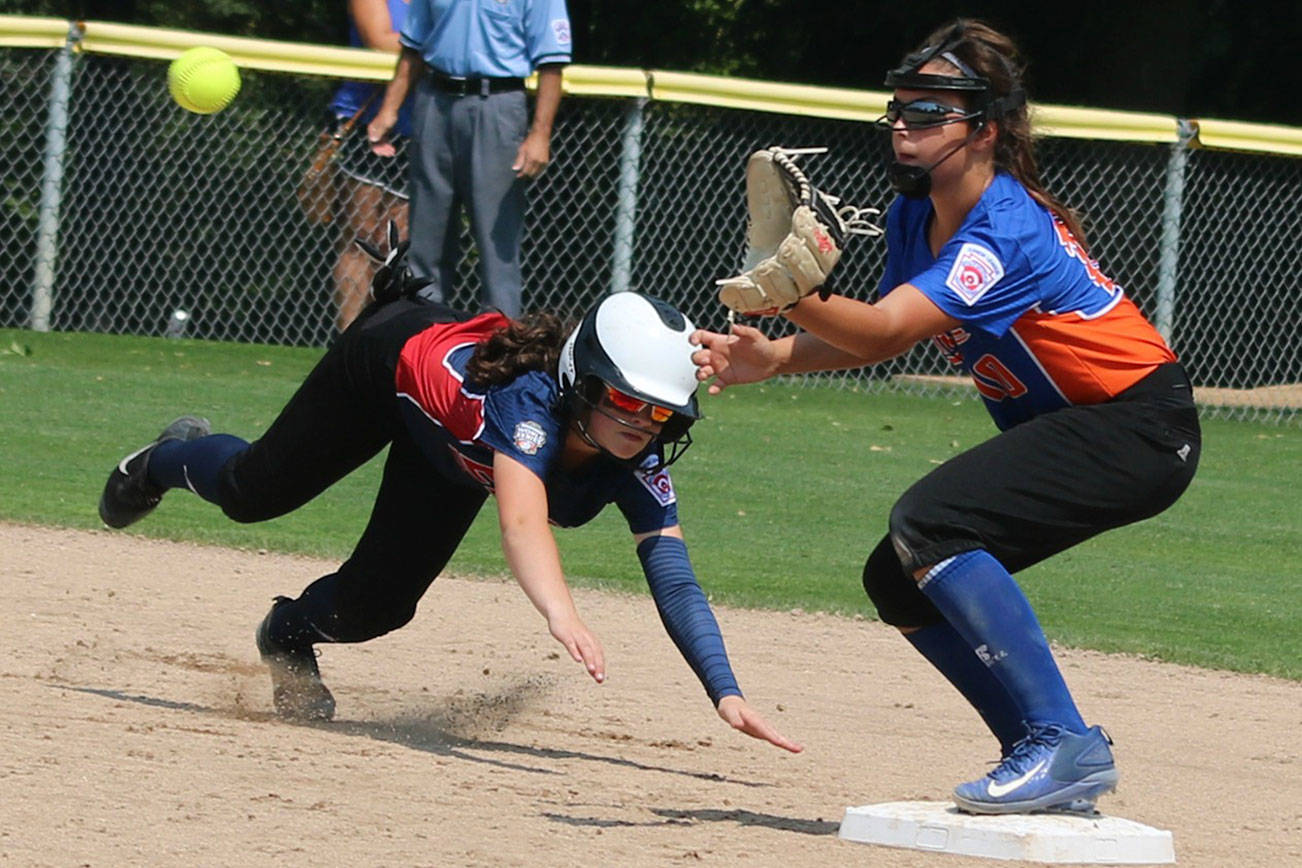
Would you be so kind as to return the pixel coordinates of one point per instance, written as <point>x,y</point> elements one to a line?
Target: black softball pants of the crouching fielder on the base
<point>1041,489</point>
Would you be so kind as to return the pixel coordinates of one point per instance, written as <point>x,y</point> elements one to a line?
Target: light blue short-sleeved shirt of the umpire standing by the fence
<point>489,38</point>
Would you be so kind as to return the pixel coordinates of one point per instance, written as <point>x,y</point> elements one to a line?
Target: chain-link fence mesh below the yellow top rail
<point>122,209</point>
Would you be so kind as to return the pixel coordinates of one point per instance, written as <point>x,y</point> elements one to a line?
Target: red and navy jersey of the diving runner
<point>459,427</point>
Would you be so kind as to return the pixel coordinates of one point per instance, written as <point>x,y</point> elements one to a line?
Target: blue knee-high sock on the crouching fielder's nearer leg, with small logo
<point>988,608</point>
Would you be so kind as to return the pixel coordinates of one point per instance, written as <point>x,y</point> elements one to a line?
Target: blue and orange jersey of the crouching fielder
<point>1042,327</point>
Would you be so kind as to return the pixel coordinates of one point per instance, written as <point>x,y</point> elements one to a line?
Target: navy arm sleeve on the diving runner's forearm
<point>687,615</point>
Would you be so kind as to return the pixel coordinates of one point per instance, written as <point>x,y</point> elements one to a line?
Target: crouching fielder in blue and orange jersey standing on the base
<point>1098,421</point>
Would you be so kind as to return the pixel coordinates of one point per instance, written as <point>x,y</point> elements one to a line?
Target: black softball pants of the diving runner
<point>343,416</point>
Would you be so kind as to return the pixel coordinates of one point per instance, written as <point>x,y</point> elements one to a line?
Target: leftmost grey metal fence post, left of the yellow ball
<point>51,183</point>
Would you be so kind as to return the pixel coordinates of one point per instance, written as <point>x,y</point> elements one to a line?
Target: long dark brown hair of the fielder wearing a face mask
<point>995,57</point>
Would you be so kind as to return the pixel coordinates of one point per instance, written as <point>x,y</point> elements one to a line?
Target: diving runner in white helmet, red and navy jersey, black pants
<point>554,427</point>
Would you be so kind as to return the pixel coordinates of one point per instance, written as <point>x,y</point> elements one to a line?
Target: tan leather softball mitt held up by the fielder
<point>795,236</point>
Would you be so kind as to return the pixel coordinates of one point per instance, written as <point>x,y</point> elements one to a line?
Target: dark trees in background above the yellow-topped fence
<point>1189,58</point>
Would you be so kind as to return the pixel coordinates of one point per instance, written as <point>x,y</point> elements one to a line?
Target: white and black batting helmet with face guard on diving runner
<point>637,346</point>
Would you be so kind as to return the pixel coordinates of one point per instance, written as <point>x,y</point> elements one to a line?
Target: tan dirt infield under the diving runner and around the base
<point>136,726</point>
